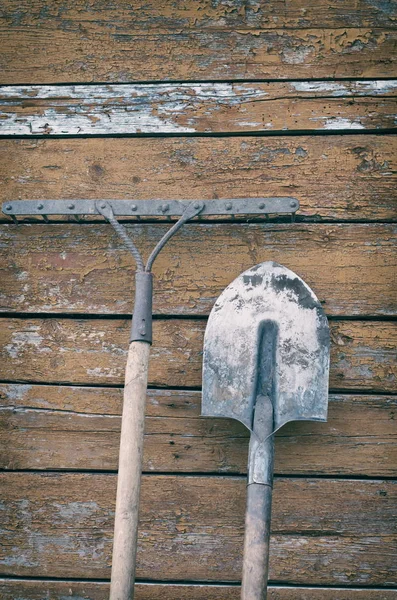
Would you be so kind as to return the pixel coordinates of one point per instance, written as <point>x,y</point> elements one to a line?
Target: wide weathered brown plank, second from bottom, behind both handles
<point>191,528</point>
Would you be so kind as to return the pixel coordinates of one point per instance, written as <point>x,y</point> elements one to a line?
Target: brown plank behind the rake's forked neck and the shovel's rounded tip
<point>78,269</point>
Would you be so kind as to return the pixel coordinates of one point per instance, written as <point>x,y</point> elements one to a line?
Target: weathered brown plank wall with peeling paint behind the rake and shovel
<point>175,99</point>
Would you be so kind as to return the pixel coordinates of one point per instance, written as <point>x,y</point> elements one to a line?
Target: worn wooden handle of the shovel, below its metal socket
<point>256,542</point>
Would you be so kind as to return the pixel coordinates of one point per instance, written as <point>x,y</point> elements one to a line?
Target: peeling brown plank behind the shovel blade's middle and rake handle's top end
<point>94,351</point>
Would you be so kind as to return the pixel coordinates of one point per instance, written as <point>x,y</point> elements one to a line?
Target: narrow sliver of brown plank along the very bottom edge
<point>26,589</point>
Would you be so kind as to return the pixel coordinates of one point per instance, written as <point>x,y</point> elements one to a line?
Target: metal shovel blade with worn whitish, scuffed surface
<point>267,316</point>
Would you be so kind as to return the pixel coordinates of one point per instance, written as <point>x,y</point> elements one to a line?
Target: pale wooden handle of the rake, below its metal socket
<point>129,474</point>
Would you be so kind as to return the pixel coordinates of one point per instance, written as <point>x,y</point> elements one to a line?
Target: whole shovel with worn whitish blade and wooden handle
<point>266,362</point>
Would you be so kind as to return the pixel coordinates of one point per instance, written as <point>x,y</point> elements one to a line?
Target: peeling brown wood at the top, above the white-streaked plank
<point>79,42</point>
